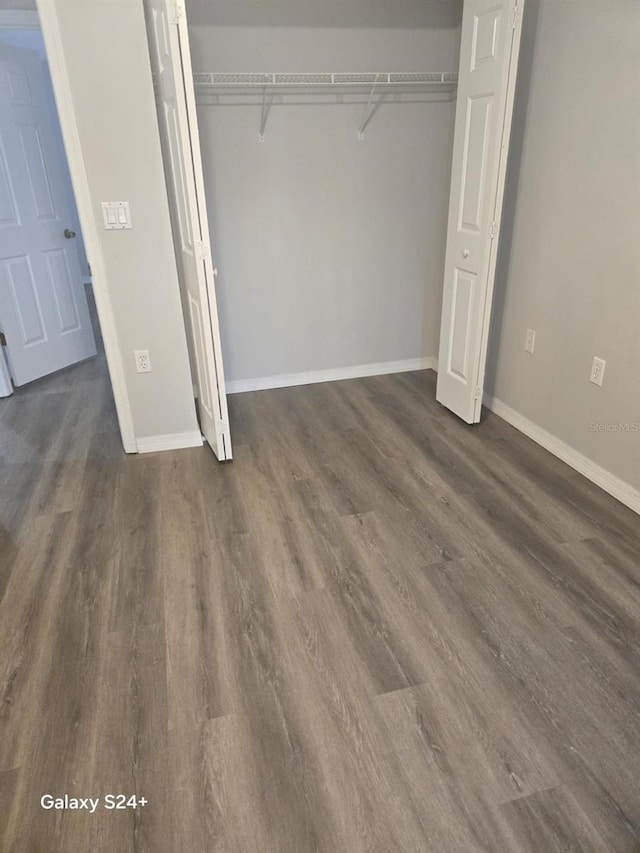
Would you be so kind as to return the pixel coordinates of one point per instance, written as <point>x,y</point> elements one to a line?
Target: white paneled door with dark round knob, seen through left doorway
<point>43,304</point>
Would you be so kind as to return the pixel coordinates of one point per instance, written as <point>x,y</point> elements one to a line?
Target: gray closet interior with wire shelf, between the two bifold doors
<point>326,138</point>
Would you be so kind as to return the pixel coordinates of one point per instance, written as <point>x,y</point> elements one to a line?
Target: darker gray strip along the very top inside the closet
<point>326,13</point>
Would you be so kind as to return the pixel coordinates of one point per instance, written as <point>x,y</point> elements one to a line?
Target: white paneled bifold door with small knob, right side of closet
<point>488,64</point>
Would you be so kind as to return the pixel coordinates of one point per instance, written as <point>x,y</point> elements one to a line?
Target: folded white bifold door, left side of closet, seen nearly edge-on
<point>171,64</point>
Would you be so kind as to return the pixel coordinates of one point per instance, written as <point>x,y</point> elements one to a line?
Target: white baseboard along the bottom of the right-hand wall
<point>617,488</point>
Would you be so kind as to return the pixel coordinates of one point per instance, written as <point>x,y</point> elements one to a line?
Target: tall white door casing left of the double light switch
<point>73,147</point>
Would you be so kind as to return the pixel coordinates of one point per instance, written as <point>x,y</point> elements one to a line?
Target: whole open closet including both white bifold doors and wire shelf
<point>344,168</point>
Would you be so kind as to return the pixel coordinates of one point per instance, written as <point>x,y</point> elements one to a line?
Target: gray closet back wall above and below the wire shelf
<point>330,250</point>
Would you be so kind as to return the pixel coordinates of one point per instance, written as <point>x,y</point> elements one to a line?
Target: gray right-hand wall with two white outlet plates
<point>570,252</point>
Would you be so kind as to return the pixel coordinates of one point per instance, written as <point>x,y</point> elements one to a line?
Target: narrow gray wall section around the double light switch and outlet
<point>110,77</point>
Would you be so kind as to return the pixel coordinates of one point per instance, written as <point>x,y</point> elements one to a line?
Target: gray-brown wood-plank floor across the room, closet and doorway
<point>376,630</point>
